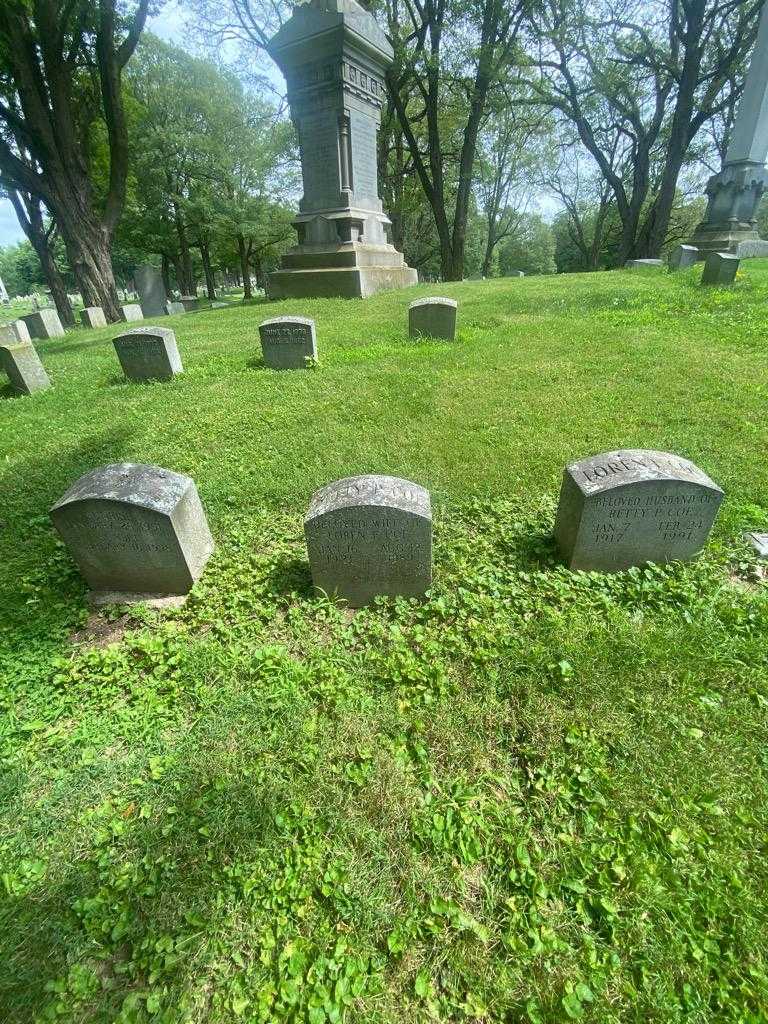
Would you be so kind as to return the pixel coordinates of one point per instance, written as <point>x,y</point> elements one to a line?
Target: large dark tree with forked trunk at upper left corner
<point>61,78</point>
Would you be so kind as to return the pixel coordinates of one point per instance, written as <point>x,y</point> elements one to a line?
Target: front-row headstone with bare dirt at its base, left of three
<point>136,531</point>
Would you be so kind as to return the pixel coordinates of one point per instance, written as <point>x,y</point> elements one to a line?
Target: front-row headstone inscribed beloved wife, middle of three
<point>370,536</point>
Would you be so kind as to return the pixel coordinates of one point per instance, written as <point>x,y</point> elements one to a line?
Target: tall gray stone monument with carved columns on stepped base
<point>333,56</point>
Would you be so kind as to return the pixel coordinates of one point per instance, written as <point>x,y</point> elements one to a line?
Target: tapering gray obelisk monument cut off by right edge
<point>736,193</point>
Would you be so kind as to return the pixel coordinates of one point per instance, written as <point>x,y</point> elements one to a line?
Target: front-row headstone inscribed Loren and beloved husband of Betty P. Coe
<point>630,507</point>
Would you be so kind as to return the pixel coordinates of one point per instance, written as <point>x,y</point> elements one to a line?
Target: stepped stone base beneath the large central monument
<point>352,271</point>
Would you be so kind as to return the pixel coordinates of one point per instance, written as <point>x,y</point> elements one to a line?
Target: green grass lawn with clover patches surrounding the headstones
<point>540,796</point>
